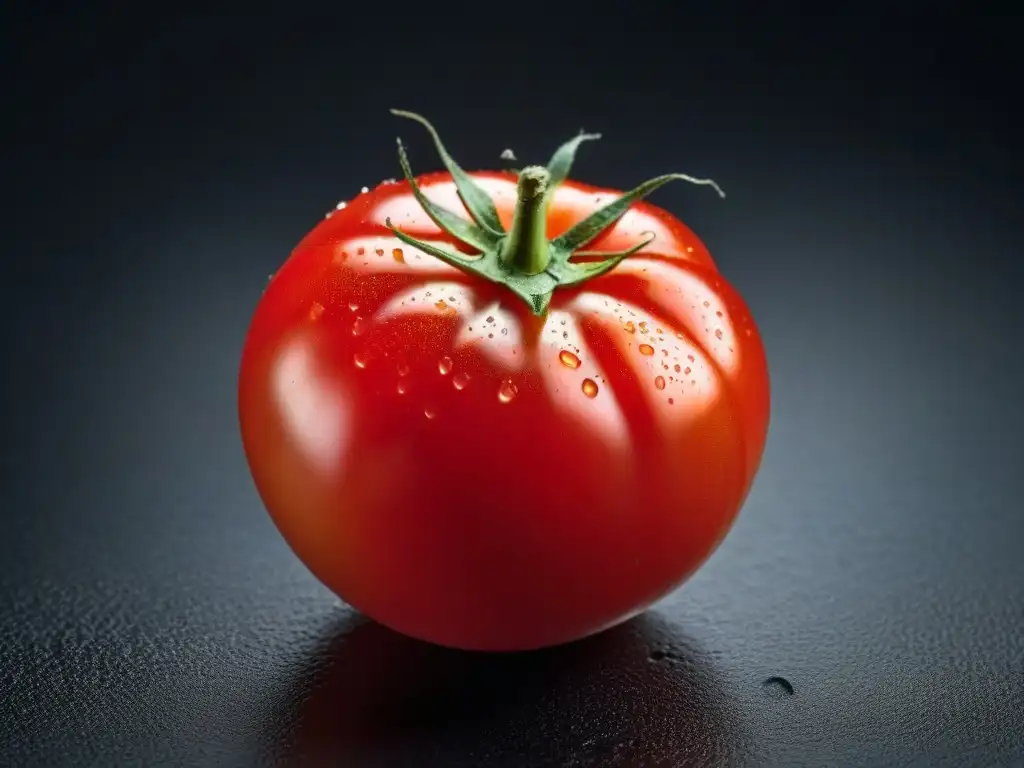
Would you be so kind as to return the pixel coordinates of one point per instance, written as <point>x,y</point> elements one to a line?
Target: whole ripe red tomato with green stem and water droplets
<point>506,451</point>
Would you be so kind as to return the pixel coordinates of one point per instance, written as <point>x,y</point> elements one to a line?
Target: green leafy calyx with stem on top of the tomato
<point>524,260</point>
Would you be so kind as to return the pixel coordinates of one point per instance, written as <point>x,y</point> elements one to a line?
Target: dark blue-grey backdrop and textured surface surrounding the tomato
<point>160,164</point>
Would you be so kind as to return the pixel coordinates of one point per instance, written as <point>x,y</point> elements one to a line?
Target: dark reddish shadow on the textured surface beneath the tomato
<point>641,694</point>
